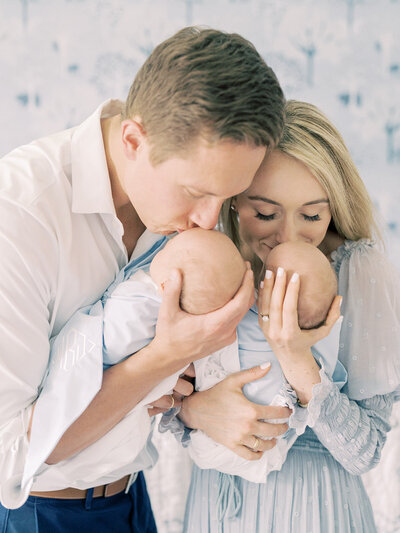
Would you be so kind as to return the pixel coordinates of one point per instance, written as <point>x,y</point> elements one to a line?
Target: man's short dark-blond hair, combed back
<point>209,83</point>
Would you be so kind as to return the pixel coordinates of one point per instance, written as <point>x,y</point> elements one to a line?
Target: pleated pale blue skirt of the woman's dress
<point>312,493</point>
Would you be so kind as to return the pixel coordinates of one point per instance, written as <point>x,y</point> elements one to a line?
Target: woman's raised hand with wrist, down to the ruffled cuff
<point>277,306</point>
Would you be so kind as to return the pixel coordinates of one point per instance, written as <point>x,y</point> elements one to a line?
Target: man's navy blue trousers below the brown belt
<point>121,513</point>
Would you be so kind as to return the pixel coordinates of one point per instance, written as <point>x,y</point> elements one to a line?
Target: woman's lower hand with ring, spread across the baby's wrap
<point>225,415</point>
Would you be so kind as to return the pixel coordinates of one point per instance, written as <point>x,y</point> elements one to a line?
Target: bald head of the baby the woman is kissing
<point>318,284</point>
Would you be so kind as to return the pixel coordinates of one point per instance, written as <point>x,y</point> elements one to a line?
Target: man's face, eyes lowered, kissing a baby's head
<point>188,191</point>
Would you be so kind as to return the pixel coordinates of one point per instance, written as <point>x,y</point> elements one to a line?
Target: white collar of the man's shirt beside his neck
<point>91,187</point>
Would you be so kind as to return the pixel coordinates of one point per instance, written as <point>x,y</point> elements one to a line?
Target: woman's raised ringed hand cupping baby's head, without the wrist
<point>277,306</point>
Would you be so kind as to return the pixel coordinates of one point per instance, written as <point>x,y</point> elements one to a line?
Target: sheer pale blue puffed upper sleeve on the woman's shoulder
<point>370,335</point>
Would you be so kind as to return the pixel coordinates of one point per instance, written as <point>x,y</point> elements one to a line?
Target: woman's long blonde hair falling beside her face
<point>310,137</point>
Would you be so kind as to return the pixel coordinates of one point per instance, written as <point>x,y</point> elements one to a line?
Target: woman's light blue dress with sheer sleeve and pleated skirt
<point>319,489</point>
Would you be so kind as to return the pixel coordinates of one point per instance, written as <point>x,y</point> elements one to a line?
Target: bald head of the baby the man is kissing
<point>211,265</point>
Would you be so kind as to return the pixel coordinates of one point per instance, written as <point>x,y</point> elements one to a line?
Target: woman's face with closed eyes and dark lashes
<point>284,203</point>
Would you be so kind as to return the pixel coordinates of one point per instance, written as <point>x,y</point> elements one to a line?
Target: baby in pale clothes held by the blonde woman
<point>318,287</point>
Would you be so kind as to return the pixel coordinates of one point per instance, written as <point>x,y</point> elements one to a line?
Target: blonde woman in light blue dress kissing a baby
<point>308,189</point>
